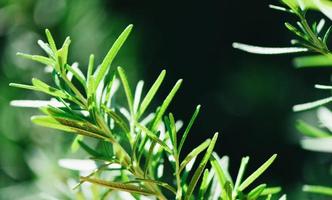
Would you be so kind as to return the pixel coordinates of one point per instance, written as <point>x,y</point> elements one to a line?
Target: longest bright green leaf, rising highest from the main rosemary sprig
<point>105,65</point>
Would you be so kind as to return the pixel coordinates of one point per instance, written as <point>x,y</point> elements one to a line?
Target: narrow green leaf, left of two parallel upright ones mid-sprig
<point>151,93</point>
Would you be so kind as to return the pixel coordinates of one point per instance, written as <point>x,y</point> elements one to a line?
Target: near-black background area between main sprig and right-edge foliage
<point>247,98</point>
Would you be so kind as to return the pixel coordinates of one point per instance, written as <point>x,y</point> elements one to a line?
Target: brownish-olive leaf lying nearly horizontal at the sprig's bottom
<point>120,186</point>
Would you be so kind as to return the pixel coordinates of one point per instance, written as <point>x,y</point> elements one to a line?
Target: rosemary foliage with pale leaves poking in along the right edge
<point>311,38</point>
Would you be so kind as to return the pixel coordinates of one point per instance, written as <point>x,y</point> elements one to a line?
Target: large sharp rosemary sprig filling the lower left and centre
<point>131,151</point>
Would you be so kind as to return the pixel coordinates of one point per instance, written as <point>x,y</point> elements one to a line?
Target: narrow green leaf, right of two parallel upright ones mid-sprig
<point>165,104</point>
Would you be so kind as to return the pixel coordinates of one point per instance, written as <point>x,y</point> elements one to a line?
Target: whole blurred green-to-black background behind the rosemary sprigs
<point>248,98</point>
